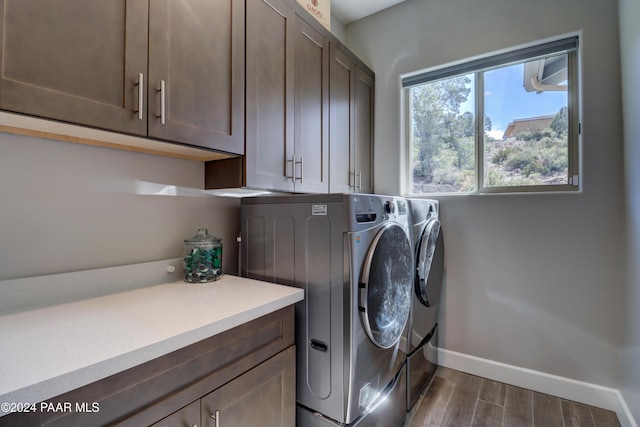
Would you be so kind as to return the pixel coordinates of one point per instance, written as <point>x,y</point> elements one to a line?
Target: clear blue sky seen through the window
<point>506,99</point>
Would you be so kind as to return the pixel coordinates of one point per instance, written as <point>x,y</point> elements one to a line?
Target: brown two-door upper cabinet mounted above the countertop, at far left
<point>169,69</point>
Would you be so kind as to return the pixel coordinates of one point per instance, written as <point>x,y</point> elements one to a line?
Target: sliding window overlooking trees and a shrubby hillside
<point>505,123</point>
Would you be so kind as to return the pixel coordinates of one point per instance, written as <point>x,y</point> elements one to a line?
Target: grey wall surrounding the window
<point>534,281</point>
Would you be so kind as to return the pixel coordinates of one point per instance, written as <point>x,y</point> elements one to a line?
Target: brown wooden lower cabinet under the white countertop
<point>242,377</point>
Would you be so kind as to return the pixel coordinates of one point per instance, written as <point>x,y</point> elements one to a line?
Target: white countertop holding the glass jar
<point>49,351</point>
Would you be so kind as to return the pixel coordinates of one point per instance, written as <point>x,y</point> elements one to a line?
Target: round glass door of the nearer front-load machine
<point>385,288</point>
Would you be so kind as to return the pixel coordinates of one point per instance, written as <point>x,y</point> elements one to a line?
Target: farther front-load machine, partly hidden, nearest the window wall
<point>422,327</point>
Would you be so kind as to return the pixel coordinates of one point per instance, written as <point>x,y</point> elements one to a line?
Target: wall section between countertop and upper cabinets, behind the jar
<point>68,207</point>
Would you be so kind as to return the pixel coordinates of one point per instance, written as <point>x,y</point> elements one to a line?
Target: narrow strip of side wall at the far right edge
<point>630,48</point>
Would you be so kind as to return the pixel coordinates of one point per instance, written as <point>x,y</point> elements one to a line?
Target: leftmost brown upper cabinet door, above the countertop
<point>75,60</point>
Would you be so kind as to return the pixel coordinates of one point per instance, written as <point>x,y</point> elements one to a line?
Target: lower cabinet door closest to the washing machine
<point>262,397</point>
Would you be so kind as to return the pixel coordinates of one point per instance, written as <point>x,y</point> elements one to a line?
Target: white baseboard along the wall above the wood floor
<point>566,388</point>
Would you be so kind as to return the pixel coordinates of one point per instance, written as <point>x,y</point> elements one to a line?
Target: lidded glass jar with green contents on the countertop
<point>202,260</point>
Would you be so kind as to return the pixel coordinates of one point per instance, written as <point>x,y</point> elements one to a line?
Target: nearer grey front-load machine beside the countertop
<point>352,255</point>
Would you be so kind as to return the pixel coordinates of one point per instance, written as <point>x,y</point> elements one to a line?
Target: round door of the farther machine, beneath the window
<point>430,264</point>
